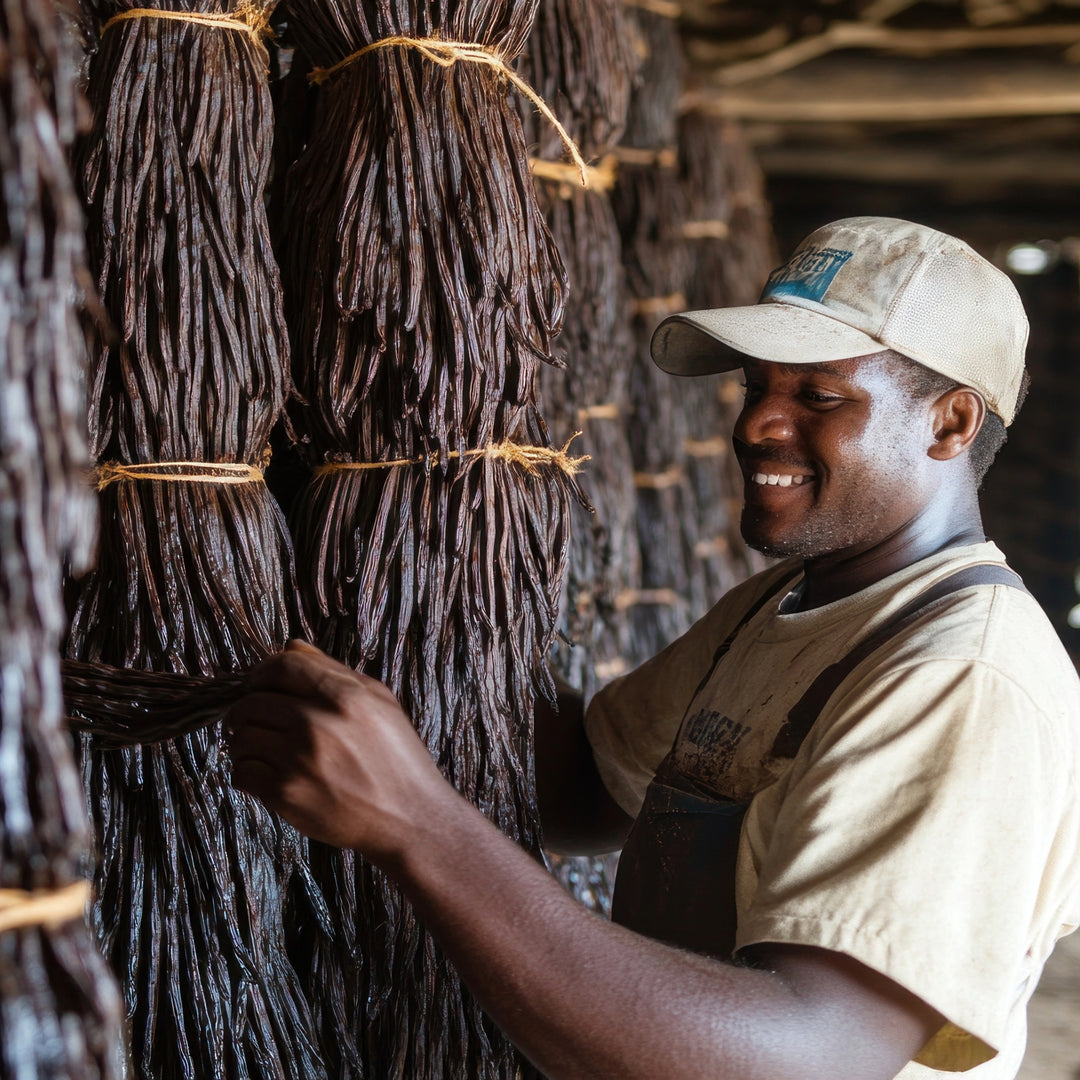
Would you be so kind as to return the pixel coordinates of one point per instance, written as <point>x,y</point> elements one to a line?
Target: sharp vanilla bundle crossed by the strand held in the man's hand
<point>195,573</point>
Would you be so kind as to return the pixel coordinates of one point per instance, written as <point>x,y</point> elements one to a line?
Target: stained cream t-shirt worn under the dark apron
<point>929,827</point>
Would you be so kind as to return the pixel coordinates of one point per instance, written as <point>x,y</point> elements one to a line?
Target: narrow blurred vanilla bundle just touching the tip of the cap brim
<point>650,205</point>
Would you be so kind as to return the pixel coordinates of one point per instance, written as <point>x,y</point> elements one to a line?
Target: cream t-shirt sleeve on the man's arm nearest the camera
<point>914,832</point>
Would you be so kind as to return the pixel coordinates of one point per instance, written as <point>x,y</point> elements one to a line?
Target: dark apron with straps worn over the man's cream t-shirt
<point>678,870</point>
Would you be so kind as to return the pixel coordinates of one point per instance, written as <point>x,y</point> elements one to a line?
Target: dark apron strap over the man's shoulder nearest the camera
<point>802,719</point>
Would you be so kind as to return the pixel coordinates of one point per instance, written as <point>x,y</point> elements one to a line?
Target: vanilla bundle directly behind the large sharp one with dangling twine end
<point>582,58</point>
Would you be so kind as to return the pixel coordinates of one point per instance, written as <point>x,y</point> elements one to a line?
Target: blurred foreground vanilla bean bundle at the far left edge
<point>60,1011</point>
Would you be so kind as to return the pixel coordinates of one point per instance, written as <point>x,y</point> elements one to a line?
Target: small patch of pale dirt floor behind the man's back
<point>1054,1044</point>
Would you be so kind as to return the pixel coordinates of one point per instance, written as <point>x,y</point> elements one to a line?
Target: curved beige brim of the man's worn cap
<point>704,343</point>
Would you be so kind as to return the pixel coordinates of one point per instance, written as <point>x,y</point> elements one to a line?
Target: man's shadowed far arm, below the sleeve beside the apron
<point>577,814</point>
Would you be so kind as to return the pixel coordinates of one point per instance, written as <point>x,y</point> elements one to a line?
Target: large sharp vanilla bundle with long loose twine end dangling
<point>424,290</point>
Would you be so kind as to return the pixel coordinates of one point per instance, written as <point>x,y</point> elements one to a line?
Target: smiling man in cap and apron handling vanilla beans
<point>855,779</point>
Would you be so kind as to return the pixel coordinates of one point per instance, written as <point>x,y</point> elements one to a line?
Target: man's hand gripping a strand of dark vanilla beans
<point>332,751</point>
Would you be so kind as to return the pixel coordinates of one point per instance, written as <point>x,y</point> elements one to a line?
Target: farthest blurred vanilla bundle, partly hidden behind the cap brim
<point>731,248</point>
